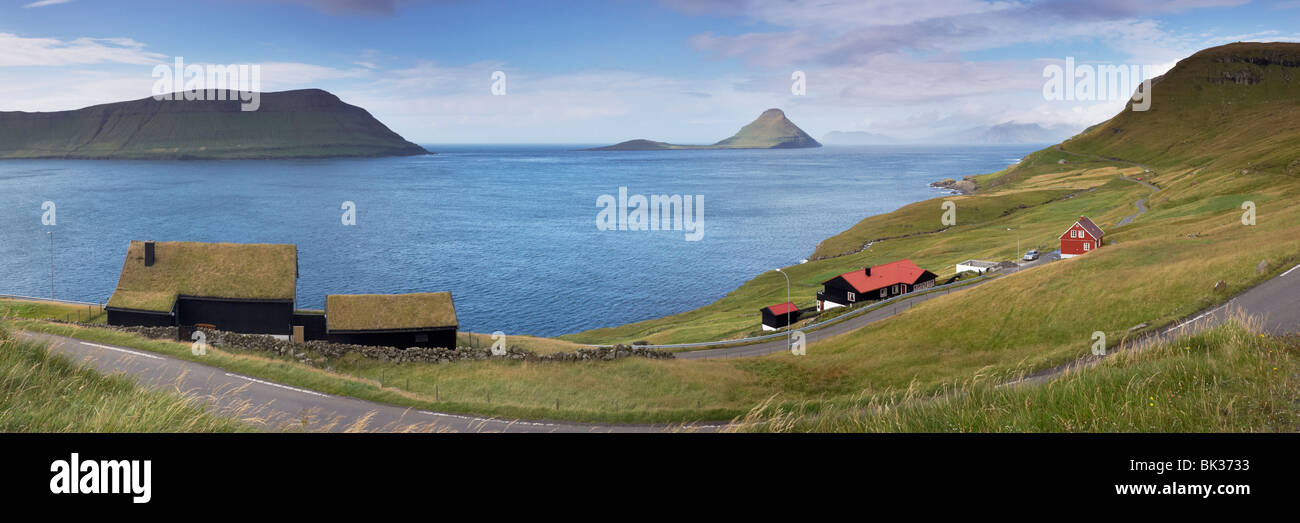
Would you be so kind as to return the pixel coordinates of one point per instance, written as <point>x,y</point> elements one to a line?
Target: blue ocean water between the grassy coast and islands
<point>510,231</point>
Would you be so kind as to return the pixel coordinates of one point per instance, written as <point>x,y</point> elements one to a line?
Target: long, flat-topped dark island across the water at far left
<point>291,124</point>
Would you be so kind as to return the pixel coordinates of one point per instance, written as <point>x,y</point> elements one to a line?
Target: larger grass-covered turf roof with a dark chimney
<point>235,271</point>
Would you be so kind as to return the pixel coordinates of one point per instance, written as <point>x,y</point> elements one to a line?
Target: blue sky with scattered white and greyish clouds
<point>604,72</point>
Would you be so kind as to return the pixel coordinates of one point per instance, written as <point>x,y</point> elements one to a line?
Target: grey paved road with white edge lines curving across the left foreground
<point>278,407</point>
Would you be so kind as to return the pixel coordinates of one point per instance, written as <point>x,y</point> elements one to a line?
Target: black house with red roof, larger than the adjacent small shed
<point>873,284</point>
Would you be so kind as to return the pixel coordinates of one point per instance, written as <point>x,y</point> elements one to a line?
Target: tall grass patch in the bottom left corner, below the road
<point>42,392</point>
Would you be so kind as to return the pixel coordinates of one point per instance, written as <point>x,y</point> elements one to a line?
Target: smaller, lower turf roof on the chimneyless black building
<point>389,312</point>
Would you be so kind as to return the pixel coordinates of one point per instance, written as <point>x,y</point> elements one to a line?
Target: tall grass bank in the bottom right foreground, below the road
<point>1228,379</point>
